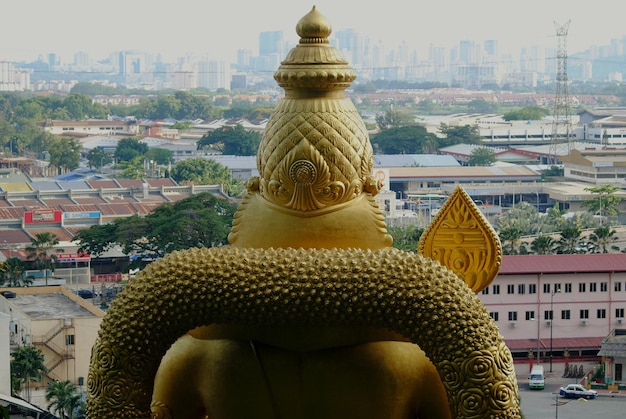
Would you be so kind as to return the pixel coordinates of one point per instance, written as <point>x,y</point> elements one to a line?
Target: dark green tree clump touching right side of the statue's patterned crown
<point>412,139</point>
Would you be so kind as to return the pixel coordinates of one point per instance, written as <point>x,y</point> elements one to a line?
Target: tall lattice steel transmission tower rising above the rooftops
<point>560,142</point>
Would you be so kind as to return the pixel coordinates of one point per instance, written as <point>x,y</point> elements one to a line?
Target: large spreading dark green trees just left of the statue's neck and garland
<point>202,220</point>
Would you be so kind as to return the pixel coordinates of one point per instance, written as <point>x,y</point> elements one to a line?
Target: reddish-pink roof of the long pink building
<point>536,264</point>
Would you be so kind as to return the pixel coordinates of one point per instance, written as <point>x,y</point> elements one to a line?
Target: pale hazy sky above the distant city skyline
<point>220,27</point>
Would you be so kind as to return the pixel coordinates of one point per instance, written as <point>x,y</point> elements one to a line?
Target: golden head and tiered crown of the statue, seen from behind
<point>315,187</point>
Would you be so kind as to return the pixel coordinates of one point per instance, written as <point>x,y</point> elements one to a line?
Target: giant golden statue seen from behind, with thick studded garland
<point>310,313</point>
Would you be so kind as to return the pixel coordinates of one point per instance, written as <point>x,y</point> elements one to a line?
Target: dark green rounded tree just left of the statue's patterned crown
<point>232,141</point>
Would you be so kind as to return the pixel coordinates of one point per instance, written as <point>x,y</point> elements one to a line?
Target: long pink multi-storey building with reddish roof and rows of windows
<point>558,304</point>
